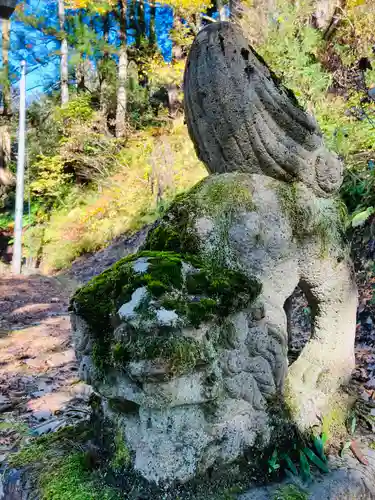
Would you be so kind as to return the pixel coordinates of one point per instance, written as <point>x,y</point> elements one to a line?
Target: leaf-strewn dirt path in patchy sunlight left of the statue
<point>38,372</point>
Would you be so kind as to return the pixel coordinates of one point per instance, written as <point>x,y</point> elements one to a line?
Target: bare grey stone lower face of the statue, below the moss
<point>216,410</point>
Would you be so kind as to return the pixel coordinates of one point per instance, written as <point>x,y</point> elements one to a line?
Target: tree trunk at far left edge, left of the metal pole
<point>6,177</point>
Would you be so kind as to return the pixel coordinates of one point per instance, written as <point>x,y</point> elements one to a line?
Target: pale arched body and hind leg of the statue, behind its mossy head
<point>283,235</point>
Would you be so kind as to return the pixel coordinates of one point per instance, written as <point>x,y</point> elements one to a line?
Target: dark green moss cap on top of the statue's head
<point>179,287</point>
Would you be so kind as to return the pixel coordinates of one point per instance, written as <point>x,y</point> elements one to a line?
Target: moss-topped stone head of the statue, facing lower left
<point>199,396</point>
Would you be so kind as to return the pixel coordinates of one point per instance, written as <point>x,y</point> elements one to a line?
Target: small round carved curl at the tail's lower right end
<point>329,171</point>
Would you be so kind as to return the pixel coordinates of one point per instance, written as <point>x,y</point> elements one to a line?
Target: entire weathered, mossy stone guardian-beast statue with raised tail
<point>187,340</point>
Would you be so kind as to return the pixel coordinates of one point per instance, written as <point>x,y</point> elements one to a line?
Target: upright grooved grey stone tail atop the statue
<point>241,118</point>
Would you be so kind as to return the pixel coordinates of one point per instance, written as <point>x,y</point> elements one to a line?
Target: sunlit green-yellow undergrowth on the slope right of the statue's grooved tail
<point>299,54</point>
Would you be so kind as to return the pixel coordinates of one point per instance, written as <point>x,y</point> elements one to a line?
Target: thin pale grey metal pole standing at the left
<point>17,249</point>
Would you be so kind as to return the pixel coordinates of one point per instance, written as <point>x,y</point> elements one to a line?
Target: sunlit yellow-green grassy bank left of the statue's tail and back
<point>148,172</point>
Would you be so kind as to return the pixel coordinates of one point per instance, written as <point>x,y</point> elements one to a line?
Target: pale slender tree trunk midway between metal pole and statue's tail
<point>122,74</point>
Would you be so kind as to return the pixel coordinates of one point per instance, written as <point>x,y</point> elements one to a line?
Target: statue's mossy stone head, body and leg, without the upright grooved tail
<point>213,402</point>
